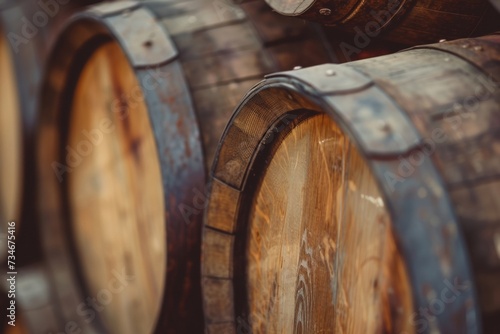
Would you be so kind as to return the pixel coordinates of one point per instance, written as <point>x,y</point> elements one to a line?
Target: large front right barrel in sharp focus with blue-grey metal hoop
<point>361,198</point>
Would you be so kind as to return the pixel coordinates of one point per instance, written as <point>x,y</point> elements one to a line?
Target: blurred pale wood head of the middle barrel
<point>116,196</point>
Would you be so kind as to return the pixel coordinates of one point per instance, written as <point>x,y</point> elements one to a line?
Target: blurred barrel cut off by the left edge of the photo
<point>27,31</point>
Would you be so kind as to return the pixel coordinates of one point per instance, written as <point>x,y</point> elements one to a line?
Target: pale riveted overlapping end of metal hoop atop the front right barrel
<point>380,124</point>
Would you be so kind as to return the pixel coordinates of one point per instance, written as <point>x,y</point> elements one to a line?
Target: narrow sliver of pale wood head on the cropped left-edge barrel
<point>10,145</point>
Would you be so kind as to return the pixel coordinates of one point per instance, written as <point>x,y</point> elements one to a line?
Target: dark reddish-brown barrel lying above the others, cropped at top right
<point>405,21</point>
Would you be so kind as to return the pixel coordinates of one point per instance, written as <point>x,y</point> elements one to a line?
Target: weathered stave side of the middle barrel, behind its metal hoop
<point>225,49</point>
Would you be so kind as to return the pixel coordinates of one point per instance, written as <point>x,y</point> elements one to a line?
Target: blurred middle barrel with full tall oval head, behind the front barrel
<point>135,98</point>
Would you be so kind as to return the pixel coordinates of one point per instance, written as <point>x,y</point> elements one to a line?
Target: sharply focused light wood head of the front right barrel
<point>321,254</point>
